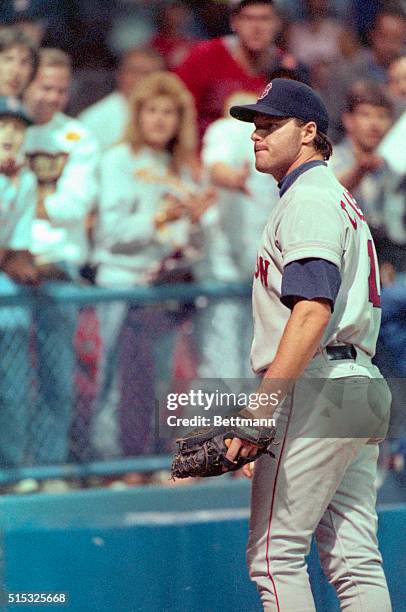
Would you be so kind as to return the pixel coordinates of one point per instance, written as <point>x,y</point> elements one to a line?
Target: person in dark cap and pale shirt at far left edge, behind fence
<point>17,209</point>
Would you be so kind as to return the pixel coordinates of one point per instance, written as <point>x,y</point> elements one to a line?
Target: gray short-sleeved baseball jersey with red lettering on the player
<point>317,218</point>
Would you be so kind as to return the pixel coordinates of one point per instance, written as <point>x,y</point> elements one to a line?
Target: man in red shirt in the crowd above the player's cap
<point>219,68</point>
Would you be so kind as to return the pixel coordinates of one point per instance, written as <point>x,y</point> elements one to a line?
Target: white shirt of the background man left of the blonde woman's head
<point>107,119</point>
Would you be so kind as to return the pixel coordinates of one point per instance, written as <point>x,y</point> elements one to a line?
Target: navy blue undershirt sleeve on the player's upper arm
<point>310,279</point>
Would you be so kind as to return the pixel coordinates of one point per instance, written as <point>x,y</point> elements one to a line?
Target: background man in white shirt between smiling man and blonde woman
<point>107,118</point>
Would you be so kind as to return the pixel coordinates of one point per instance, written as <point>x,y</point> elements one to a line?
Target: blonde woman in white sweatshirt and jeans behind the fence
<point>151,206</point>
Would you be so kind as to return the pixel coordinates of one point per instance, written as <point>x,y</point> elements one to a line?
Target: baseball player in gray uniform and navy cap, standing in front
<point>316,306</point>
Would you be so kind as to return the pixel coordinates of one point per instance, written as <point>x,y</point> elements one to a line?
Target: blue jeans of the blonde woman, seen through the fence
<point>137,354</point>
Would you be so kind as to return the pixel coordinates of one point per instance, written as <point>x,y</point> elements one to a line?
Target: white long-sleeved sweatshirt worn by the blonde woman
<point>127,243</point>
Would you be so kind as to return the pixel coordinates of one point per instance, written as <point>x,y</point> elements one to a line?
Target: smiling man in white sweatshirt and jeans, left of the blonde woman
<point>64,158</point>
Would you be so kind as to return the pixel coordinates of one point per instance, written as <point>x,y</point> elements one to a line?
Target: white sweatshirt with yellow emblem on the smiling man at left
<point>64,156</point>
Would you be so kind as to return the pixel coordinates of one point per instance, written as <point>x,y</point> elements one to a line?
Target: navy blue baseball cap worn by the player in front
<point>286,98</point>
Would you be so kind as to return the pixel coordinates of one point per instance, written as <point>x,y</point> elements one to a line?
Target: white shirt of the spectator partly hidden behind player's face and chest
<point>243,217</point>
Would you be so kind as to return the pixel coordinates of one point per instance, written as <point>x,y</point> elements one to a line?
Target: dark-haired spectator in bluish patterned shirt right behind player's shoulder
<point>359,167</point>
